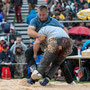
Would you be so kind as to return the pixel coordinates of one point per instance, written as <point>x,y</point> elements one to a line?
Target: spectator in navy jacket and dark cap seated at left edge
<point>6,56</point>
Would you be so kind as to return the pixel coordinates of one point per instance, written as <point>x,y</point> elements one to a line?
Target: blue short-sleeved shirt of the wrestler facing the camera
<point>38,24</point>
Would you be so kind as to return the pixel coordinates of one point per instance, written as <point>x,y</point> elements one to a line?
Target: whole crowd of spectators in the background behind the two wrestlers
<point>59,9</point>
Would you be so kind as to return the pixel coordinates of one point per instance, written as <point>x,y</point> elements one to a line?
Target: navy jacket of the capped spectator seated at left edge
<point>9,57</point>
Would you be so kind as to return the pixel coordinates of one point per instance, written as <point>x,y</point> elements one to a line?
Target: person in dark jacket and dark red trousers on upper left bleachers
<point>17,6</point>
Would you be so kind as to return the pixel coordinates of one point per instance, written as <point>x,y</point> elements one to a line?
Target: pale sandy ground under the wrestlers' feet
<point>21,84</point>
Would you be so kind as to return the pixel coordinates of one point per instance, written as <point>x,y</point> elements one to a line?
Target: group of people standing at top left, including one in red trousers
<point>7,6</point>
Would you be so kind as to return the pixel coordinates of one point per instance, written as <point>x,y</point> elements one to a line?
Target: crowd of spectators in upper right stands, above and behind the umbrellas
<point>67,10</point>
